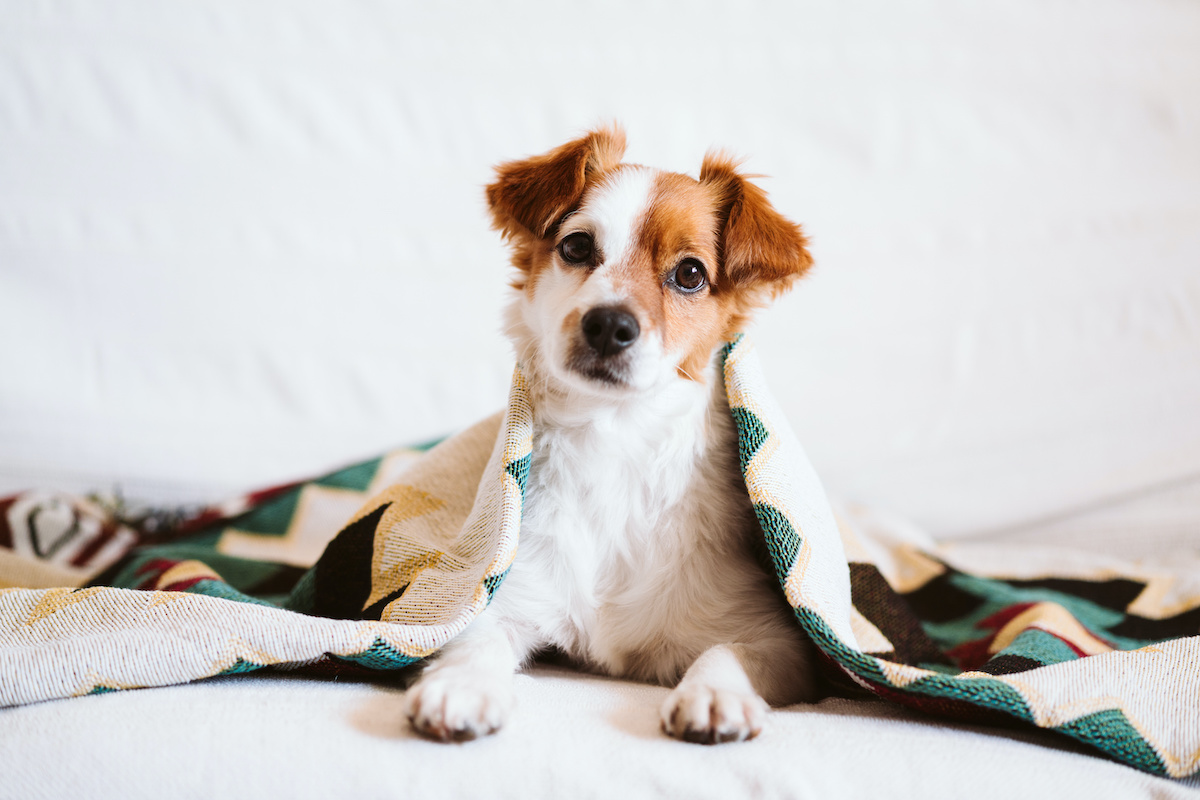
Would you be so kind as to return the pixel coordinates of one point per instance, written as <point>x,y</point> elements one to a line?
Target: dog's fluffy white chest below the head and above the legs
<point>617,533</point>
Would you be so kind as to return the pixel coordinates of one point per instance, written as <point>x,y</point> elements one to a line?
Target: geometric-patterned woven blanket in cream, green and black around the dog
<point>1107,654</point>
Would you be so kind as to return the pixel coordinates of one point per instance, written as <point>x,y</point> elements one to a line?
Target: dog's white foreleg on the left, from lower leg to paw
<point>467,691</point>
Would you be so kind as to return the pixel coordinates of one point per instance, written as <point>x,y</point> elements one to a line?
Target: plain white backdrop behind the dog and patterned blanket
<point>243,243</point>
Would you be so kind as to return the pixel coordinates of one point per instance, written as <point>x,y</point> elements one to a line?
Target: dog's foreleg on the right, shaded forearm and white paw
<point>721,697</point>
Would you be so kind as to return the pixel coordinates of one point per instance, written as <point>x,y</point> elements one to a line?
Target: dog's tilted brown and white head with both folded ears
<point>631,276</point>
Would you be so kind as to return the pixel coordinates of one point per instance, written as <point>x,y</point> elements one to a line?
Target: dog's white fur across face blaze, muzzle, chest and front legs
<point>637,554</point>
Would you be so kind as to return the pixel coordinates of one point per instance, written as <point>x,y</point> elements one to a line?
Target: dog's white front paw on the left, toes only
<point>458,705</point>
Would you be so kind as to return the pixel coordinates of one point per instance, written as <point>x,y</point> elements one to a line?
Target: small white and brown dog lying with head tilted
<point>639,555</point>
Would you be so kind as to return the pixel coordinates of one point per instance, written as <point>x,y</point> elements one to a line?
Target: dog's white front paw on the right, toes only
<point>710,717</point>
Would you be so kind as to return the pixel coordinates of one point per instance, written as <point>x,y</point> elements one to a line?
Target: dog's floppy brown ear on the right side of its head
<point>759,245</point>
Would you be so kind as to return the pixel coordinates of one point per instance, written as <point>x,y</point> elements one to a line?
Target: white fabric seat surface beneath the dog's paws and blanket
<point>572,737</point>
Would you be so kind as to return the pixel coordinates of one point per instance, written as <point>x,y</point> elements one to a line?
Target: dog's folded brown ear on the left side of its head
<point>531,196</point>
